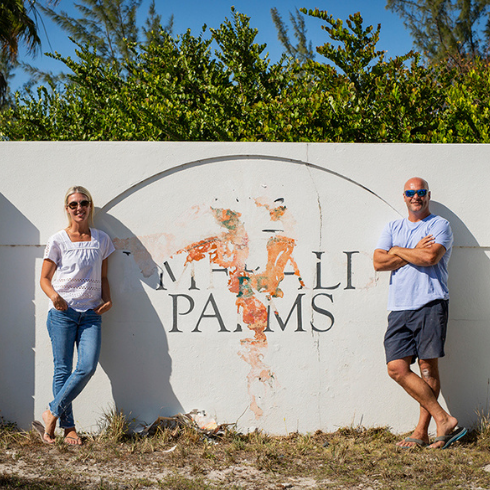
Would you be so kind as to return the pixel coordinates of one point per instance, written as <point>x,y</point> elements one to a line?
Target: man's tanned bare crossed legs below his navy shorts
<point>424,391</point>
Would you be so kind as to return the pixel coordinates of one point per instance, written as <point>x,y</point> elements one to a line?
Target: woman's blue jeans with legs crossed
<point>67,329</point>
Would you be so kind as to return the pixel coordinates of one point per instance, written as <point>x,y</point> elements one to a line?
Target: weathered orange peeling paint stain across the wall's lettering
<point>230,250</point>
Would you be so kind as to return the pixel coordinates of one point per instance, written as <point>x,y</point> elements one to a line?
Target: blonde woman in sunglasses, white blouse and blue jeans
<point>74,277</point>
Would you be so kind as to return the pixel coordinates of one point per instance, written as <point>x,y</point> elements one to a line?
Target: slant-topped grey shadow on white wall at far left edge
<point>18,254</point>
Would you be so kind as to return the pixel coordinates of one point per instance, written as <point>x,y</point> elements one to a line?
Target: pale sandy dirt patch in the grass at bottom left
<point>48,467</point>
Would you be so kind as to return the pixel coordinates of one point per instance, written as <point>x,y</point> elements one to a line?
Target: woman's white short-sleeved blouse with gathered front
<point>78,268</point>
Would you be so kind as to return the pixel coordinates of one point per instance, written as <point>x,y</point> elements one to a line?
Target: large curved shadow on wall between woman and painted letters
<point>134,353</point>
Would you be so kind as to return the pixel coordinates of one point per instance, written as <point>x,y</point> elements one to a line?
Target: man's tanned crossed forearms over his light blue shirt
<point>425,253</point>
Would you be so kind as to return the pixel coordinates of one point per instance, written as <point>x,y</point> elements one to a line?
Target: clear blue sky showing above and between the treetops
<point>394,37</point>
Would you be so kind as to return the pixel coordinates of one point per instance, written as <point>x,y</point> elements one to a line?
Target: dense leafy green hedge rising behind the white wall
<point>178,89</point>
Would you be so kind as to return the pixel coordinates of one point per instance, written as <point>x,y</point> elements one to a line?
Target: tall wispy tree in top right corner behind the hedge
<point>441,29</point>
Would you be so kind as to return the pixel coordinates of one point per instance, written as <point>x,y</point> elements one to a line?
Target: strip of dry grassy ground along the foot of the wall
<point>183,459</point>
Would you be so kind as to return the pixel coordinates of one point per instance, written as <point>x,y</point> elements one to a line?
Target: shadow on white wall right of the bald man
<point>465,371</point>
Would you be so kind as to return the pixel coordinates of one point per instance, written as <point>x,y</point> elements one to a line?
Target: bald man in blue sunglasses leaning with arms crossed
<point>416,251</point>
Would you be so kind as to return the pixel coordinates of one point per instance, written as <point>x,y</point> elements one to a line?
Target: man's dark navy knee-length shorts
<point>417,333</point>
